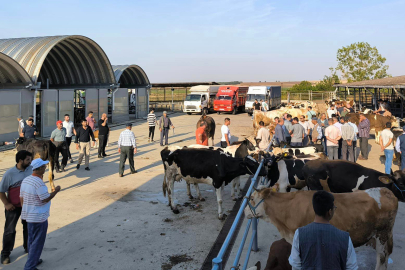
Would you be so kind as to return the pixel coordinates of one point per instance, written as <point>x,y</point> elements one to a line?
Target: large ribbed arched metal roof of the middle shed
<point>64,60</point>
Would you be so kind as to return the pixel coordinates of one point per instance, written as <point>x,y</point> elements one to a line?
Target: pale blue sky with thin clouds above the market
<point>219,40</point>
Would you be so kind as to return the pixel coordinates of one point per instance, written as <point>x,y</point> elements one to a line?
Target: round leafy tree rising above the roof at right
<point>359,62</point>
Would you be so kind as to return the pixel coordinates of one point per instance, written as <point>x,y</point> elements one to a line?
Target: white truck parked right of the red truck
<point>271,94</point>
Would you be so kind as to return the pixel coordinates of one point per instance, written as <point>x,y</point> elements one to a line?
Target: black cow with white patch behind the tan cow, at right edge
<point>340,176</point>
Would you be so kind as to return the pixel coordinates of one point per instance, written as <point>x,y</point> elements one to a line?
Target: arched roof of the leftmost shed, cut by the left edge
<point>11,73</point>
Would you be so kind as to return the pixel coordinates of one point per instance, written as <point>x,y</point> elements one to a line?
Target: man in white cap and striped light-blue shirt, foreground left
<point>36,202</point>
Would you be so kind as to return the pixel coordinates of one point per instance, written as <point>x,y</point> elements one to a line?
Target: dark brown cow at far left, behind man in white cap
<point>44,149</point>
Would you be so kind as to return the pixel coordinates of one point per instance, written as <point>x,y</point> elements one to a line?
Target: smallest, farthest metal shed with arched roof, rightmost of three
<point>132,96</point>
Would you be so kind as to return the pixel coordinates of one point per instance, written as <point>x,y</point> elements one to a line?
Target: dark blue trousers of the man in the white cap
<point>36,242</point>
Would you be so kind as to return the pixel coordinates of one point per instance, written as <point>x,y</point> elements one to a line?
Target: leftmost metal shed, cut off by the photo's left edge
<point>16,97</point>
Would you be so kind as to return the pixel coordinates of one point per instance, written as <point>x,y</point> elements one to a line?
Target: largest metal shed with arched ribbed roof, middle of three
<point>72,75</point>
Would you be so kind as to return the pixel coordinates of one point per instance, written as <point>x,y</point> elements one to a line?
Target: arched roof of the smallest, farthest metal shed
<point>130,76</point>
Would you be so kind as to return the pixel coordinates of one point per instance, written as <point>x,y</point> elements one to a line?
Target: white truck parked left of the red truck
<point>200,99</point>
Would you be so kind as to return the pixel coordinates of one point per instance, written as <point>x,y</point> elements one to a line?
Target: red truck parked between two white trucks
<point>230,99</point>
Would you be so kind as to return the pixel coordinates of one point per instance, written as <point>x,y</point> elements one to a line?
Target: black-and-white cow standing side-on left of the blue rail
<point>195,166</point>
